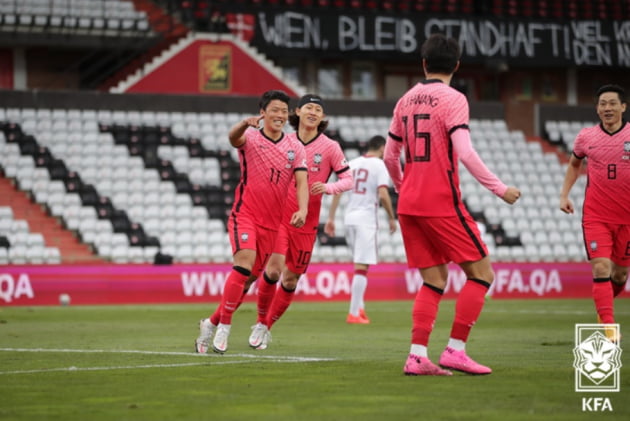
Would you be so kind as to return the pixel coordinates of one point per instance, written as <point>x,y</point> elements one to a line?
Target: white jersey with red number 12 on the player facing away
<point>369,174</point>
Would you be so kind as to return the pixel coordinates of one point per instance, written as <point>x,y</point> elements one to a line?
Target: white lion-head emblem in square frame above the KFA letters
<point>597,358</point>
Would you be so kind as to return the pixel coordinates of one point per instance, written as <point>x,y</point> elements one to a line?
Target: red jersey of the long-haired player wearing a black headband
<point>323,157</point>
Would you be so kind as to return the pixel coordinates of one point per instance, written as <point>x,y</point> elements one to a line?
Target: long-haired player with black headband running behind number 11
<point>294,245</point>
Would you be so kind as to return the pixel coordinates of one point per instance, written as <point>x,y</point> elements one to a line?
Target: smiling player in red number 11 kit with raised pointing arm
<point>270,162</point>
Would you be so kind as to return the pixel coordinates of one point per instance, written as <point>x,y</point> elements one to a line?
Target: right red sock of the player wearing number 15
<point>469,304</point>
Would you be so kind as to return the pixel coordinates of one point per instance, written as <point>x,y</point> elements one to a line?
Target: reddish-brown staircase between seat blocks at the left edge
<point>71,249</point>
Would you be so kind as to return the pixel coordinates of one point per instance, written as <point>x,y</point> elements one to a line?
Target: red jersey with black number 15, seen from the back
<point>423,121</point>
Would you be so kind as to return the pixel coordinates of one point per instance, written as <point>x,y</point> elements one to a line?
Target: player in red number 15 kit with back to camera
<point>430,123</point>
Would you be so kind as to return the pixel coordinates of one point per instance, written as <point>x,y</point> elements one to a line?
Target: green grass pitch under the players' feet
<point>137,363</point>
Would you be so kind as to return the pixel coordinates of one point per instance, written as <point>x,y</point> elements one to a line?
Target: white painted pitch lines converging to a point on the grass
<point>211,359</point>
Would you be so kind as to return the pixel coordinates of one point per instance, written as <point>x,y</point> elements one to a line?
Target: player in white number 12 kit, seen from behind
<point>371,182</point>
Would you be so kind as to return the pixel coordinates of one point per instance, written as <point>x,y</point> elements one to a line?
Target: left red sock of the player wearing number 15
<point>424,312</point>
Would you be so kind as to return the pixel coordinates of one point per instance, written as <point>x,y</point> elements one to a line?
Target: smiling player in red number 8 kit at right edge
<point>606,212</point>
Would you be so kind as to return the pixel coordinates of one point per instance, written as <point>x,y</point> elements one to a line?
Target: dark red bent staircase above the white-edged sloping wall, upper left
<point>168,28</point>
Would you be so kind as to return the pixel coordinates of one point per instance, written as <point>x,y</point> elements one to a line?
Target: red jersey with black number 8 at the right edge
<point>607,197</point>
